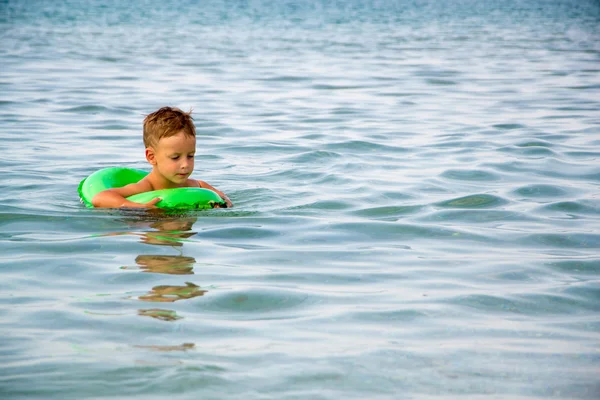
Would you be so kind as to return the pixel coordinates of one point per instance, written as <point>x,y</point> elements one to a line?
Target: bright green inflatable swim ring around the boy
<point>180,198</point>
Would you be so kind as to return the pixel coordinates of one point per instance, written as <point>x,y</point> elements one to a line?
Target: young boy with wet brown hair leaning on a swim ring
<point>170,140</point>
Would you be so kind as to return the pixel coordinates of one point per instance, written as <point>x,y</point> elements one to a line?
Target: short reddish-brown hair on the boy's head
<point>167,122</point>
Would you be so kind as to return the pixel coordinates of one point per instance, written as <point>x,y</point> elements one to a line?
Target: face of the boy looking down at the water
<point>173,157</point>
